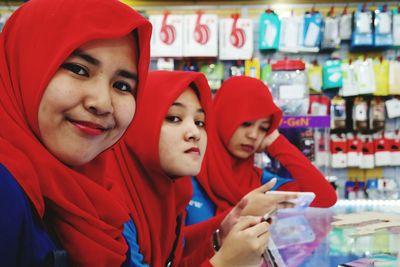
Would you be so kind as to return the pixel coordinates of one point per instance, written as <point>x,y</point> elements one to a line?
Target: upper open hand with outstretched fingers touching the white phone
<point>260,203</point>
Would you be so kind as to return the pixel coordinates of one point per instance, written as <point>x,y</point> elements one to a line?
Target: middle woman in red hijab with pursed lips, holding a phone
<point>164,147</point>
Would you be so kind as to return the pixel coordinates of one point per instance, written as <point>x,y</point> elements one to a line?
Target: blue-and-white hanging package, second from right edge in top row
<point>383,27</point>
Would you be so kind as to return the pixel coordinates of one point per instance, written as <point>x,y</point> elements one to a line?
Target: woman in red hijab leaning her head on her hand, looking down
<point>247,121</point>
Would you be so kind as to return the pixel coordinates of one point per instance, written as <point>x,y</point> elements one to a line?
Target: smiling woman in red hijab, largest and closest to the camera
<point>69,74</point>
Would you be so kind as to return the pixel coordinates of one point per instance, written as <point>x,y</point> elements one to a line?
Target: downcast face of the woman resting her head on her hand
<point>248,137</point>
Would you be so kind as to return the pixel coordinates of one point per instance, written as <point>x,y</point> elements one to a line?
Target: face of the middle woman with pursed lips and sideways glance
<point>183,138</point>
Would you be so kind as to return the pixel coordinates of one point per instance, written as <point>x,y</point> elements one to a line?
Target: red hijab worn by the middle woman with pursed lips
<point>154,199</point>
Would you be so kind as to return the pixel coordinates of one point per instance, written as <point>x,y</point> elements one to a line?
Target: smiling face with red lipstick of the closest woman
<point>89,102</point>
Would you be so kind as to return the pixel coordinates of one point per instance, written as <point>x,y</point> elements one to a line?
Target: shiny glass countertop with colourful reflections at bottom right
<point>306,238</point>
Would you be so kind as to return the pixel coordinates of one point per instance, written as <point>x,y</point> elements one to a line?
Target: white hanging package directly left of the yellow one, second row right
<point>365,76</point>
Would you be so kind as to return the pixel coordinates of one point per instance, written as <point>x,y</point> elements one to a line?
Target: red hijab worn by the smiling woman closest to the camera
<point>35,41</point>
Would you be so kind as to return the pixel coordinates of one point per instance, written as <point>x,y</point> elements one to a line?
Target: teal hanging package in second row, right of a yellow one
<point>331,74</point>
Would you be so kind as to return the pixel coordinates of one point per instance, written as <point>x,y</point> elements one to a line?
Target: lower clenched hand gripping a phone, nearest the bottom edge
<point>244,244</point>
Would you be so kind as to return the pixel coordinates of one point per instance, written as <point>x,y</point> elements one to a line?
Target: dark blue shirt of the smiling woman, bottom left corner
<point>23,239</point>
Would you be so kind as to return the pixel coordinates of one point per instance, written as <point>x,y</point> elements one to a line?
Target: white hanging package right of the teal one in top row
<point>290,34</point>
